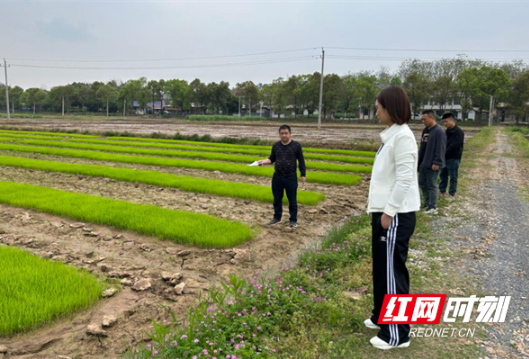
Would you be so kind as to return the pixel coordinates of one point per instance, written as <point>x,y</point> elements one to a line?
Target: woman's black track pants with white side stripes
<point>390,275</point>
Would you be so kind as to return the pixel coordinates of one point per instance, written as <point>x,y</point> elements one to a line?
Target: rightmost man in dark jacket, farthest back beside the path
<point>455,138</point>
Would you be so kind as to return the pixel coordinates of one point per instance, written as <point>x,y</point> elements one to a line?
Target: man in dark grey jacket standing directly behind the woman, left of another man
<point>431,160</point>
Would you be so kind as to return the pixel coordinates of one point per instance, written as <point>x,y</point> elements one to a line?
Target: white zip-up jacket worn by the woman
<point>394,187</point>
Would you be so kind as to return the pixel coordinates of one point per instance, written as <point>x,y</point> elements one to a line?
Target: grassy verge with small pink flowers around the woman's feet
<point>302,311</point>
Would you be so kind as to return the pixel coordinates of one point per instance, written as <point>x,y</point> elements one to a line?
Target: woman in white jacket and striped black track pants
<point>393,200</point>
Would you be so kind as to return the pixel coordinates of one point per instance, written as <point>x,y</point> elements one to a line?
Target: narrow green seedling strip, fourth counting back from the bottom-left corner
<point>319,177</point>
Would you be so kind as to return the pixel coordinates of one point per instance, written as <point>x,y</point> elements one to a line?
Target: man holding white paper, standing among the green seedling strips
<point>285,154</point>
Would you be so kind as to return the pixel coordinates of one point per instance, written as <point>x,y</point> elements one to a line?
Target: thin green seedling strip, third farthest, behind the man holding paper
<point>185,154</point>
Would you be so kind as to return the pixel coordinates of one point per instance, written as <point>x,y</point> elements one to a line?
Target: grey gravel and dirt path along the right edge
<point>496,243</point>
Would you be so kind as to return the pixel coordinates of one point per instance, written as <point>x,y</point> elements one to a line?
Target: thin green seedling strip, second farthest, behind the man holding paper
<point>258,152</point>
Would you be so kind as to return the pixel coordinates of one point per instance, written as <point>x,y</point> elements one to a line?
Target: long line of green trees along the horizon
<point>469,82</point>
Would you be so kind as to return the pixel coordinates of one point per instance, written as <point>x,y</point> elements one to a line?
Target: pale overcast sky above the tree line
<point>146,30</point>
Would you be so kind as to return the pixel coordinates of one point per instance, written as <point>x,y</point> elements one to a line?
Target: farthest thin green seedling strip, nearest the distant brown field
<point>222,145</point>
